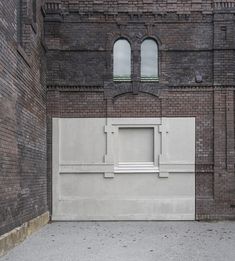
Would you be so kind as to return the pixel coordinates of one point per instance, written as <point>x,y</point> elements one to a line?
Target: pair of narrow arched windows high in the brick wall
<point>122,60</point>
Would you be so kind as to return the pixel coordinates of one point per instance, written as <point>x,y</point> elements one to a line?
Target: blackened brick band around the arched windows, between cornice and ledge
<point>79,46</point>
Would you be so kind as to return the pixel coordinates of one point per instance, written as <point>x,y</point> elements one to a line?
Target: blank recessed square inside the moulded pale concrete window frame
<point>136,144</point>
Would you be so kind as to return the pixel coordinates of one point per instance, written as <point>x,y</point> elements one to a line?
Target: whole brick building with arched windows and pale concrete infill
<point>61,74</point>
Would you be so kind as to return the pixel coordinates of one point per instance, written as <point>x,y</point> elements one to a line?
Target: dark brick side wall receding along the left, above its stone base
<point>23,178</point>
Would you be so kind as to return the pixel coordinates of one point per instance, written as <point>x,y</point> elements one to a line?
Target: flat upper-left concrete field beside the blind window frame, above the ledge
<point>82,141</point>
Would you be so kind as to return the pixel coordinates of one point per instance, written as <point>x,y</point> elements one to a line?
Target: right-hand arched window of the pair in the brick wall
<point>149,60</point>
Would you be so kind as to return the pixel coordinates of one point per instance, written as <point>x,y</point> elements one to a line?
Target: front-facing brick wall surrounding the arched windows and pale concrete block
<point>196,38</point>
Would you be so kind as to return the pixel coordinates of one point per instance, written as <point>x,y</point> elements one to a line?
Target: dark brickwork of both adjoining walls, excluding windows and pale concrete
<point>194,37</point>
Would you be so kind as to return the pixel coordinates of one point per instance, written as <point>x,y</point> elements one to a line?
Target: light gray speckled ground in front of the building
<point>129,241</point>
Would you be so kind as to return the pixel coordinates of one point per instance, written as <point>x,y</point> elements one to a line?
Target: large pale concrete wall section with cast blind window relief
<point>162,179</point>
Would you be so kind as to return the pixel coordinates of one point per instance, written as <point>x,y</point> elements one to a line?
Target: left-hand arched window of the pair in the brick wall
<point>122,60</point>
